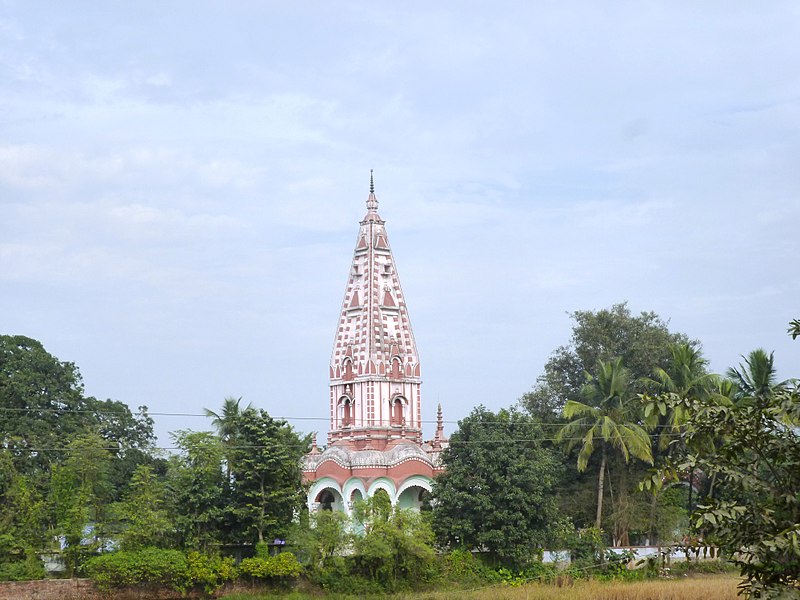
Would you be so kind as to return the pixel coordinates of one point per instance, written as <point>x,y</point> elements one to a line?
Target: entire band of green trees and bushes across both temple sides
<point>626,438</point>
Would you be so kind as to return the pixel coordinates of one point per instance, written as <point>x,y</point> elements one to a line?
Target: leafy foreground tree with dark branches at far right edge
<point>756,522</point>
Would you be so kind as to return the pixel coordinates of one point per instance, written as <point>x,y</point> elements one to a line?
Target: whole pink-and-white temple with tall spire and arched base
<point>375,440</point>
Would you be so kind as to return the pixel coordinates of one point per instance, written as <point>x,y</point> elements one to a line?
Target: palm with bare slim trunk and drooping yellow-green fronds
<point>608,419</point>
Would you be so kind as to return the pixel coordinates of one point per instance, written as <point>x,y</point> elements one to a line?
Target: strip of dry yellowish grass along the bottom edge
<point>705,587</point>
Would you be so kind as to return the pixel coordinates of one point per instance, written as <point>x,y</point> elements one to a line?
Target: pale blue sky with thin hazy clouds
<point>181,185</point>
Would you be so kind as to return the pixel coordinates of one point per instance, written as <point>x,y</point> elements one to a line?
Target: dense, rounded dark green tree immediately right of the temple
<point>497,490</point>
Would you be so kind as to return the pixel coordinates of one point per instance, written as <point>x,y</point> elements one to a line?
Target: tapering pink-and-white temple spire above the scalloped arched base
<point>375,371</point>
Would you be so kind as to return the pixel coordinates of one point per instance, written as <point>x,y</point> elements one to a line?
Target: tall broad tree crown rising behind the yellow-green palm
<point>642,342</point>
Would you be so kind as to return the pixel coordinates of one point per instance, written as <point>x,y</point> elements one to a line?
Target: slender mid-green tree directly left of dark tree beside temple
<point>198,489</point>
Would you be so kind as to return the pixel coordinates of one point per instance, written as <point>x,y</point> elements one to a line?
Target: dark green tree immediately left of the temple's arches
<point>267,475</point>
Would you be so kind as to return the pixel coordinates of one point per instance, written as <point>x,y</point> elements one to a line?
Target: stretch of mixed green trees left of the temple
<point>79,476</point>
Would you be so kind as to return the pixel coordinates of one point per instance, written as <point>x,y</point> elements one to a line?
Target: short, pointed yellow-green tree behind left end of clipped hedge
<point>143,513</point>
